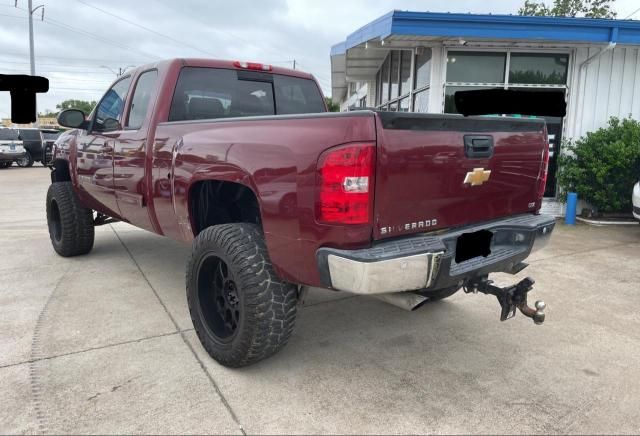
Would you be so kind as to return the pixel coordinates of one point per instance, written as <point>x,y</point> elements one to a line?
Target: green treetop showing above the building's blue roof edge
<point>569,8</point>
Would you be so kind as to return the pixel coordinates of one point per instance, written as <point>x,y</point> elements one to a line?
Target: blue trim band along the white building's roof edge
<point>494,27</point>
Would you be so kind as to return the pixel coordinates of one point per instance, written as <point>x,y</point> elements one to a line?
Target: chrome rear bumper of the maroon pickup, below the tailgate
<point>428,260</point>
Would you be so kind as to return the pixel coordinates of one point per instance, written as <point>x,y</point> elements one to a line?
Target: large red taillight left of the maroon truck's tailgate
<point>345,184</point>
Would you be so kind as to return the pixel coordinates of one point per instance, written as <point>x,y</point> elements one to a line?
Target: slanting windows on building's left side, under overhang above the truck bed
<point>393,81</point>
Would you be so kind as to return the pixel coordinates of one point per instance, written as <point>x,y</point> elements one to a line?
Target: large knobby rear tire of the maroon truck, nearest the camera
<point>267,305</point>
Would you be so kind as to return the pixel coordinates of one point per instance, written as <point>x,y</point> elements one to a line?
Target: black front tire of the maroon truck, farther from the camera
<point>70,223</point>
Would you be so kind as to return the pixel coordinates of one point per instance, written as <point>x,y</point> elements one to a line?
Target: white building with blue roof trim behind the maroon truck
<point>415,61</point>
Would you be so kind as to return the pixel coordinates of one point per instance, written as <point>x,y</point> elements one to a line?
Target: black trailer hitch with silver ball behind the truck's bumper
<point>510,298</point>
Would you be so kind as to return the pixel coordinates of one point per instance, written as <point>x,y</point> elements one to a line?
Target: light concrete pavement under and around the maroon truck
<point>103,343</point>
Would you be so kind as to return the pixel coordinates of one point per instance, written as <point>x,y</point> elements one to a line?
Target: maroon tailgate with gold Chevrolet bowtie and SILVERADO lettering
<point>423,161</point>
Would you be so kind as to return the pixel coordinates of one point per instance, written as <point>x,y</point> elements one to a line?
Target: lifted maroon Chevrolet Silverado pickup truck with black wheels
<point>276,195</point>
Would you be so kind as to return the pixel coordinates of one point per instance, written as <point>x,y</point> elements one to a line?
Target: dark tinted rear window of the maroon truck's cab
<point>206,93</point>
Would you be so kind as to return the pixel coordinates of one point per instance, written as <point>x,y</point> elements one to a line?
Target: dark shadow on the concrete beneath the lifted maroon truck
<point>335,322</point>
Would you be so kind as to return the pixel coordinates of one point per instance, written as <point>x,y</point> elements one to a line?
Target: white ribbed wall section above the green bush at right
<point>608,86</point>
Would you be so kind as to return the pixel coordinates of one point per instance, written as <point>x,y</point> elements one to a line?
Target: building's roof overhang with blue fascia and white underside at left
<point>360,55</point>
